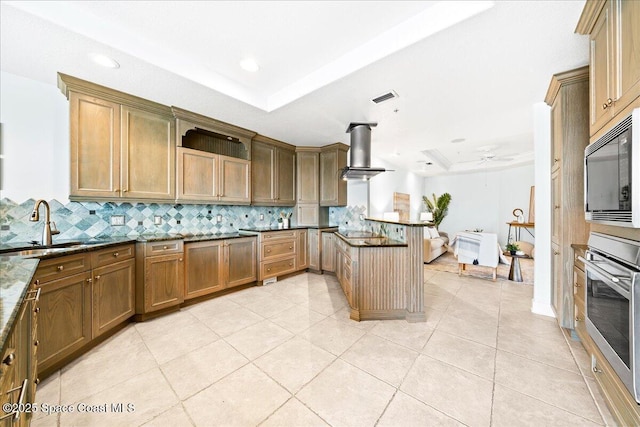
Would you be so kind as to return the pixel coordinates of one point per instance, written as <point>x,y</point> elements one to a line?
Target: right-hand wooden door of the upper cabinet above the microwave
<point>628,50</point>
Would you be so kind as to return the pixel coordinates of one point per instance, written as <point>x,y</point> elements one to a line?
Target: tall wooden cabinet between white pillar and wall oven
<point>568,96</point>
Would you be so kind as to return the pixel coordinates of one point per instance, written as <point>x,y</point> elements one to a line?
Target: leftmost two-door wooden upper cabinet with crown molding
<point>122,147</point>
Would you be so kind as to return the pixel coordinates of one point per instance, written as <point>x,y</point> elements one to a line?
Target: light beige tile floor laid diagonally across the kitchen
<point>287,355</point>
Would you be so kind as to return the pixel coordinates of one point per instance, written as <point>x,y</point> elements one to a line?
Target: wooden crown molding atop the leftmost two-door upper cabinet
<point>68,84</point>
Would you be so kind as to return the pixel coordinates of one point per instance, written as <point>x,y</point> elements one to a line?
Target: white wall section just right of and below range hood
<point>382,187</point>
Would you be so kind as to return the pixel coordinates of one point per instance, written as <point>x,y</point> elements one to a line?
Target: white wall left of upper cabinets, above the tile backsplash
<point>35,140</point>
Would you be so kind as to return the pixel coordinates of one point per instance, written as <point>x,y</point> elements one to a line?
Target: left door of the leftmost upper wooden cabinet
<point>95,147</point>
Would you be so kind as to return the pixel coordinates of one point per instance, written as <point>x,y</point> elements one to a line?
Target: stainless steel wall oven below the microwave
<point>613,304</point>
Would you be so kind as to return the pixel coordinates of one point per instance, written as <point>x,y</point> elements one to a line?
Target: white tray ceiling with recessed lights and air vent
<point>470,70</point>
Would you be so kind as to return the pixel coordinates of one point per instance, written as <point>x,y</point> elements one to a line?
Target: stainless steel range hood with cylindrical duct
<point>360,153</point>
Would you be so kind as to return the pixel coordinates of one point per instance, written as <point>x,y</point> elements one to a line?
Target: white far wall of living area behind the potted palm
<point>484,200</point>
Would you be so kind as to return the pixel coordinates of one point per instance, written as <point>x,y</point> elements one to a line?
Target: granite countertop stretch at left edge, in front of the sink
<point>15,276</point>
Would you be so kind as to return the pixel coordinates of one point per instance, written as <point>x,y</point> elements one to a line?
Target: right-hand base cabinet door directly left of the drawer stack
<point>240,259</point>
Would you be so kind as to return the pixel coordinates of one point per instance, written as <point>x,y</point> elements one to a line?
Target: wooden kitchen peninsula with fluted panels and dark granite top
<point>381,273</point>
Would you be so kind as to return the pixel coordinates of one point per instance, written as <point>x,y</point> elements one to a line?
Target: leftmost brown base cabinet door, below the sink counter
<point>64,321</point>
